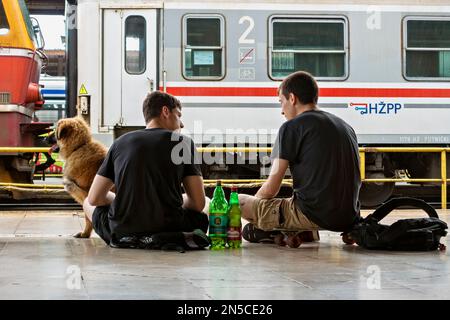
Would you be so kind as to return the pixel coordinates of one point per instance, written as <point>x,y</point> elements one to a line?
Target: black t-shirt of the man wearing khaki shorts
<point>323,156</point>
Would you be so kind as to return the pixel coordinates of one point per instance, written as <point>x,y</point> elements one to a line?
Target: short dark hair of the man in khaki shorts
<point>302,85</point>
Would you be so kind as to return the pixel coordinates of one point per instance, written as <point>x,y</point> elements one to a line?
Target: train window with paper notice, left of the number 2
<point>203,43</point>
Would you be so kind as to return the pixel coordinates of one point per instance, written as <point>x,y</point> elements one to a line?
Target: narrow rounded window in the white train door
<point>135,45</point>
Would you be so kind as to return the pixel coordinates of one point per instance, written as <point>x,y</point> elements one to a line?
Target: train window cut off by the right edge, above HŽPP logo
<point>427,50</point>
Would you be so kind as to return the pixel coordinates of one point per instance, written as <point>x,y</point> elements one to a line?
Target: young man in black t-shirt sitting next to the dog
<point>146,168</point>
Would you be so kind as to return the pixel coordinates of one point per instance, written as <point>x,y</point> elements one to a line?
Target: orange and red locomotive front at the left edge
<point>21,60</point>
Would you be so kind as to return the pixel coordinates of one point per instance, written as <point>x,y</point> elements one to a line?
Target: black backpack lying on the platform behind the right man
<point>421,234</point>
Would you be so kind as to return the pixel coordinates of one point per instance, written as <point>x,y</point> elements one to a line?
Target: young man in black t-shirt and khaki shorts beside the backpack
<point>321,151</point>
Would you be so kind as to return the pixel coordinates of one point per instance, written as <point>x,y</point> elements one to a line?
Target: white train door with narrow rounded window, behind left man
<point>129,41</point>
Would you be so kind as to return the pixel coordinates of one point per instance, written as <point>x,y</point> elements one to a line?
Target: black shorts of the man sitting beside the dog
<point>191,220</point>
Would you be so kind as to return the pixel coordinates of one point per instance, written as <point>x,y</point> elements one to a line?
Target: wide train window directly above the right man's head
<point>318,46</point>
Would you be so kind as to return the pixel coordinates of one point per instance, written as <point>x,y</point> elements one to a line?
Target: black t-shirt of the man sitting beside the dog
<point>147,168</point>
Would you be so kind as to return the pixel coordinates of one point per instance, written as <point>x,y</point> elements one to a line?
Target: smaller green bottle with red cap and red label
<point>234,234</point>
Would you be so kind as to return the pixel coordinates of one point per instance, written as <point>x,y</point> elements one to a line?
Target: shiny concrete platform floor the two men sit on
<point>40,260</point>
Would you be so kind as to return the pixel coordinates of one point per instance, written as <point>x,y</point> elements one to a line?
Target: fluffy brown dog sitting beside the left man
<point>83,156</point>
